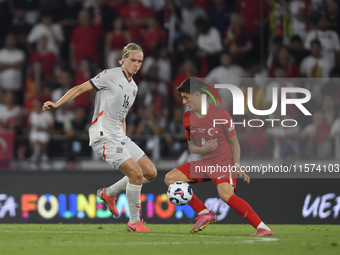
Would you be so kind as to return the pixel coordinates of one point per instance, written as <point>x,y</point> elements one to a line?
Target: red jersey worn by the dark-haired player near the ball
<point>203,130</point>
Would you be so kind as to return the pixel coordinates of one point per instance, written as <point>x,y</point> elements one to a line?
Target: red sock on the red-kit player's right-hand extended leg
<point>245,210</point>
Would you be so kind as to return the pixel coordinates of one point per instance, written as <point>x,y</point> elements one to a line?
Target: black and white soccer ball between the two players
<point>179,193</point>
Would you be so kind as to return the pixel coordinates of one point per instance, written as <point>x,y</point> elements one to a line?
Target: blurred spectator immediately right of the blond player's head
<point>161,60</point>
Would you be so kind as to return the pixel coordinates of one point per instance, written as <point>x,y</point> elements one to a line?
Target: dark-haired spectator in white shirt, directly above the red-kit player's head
<point>209,43</point>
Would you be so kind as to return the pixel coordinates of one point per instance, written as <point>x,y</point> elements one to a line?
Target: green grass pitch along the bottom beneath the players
<point>63,239</point>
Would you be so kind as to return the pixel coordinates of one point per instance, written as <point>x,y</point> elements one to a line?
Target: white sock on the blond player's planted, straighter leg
<point>133,197</point>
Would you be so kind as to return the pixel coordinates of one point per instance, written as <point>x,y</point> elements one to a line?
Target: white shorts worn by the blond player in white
<point>116,153</point>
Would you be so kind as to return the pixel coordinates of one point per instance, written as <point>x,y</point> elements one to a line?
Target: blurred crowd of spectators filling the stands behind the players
<point>47,47</point>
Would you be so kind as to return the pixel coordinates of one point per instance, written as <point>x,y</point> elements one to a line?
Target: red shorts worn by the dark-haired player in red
<point>190,171</point>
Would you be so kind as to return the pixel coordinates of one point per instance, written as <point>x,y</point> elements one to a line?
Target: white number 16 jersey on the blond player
<point>115,96</point>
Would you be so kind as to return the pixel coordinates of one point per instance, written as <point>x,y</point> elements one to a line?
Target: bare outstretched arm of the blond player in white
<point>71,94</point>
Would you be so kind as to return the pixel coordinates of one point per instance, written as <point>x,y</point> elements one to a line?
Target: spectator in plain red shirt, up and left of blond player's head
<point>85,40</point>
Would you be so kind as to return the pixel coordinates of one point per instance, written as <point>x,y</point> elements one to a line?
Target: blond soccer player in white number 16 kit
<point>116,92</point>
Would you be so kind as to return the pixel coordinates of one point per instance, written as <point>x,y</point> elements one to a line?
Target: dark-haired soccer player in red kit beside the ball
<point>218,146</point>
